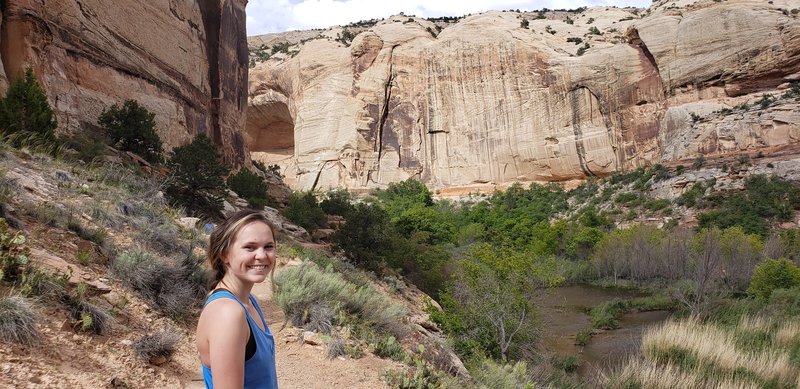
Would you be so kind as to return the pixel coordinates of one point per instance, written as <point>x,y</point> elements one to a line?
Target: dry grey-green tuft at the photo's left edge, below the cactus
<point>18,321</point>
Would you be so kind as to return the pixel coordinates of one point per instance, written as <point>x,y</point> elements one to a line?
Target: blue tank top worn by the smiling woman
<point>259,370</point>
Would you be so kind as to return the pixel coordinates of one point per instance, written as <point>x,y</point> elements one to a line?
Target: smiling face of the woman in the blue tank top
<point>251,257</point>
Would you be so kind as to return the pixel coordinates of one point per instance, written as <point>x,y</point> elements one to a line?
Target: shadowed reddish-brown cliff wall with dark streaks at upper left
<point>185,61</point>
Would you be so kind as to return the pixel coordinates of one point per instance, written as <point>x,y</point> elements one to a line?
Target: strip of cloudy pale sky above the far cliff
<point>267,16</point>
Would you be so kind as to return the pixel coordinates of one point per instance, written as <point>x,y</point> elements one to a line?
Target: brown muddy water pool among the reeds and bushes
<point>565,313</point>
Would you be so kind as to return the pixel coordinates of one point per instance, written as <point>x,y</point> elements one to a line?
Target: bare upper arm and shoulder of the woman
<point>228,333</point>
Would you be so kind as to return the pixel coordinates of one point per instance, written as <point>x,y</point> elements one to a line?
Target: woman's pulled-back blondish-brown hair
<point>223,236</point>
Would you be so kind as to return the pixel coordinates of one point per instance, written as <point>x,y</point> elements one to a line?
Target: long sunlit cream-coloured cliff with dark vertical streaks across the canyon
<point>486,101</point>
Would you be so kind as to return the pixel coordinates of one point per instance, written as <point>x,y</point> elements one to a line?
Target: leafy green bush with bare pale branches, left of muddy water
<point>488,309</point>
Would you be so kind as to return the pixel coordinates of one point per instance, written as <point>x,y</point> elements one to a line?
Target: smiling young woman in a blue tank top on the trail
<point>236,348</point>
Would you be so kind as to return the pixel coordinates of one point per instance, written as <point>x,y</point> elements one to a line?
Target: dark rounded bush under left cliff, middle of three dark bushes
<point>132,128</point>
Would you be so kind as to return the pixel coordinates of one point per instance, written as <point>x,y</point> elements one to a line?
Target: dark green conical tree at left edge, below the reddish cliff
<point>25,112</point>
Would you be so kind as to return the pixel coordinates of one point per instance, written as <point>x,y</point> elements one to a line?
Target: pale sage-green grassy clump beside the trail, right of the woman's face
<point>310,296</point>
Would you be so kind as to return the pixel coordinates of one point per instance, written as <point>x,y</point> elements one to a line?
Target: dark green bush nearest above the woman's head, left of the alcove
<point>197,182</point>
